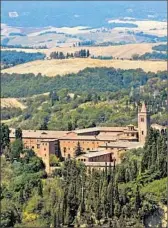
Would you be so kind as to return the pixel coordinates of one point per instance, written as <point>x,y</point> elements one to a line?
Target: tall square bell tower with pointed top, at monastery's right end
<point>143,123</point>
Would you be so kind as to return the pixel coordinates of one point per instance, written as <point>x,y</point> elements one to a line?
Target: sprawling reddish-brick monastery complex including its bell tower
<point>115,140</point>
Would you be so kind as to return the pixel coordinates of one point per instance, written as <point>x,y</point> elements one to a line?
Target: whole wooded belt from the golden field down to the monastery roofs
<point>71,107</point>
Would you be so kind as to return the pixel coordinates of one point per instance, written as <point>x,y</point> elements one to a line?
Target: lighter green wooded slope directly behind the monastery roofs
<point>66,111</point>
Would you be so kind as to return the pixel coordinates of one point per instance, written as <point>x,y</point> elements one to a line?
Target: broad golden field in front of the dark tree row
<point>62,67</point>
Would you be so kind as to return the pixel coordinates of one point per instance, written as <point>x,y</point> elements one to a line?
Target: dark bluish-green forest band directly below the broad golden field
<point>90,80</point>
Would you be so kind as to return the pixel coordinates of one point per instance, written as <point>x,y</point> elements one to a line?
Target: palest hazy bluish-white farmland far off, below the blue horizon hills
<point>67,36</point>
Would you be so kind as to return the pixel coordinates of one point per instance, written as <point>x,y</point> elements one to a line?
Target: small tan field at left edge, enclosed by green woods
<point>11,103</point>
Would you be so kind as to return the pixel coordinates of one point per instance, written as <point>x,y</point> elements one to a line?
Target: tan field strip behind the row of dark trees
<point>120,51</point>
